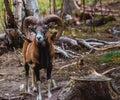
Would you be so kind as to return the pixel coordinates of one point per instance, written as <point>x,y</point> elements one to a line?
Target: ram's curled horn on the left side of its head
<point>31,20</point>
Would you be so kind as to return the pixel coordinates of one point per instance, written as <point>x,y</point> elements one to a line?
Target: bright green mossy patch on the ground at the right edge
<point>113,56</point>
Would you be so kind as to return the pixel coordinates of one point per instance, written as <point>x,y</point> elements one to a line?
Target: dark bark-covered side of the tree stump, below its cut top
<point>86,91</point>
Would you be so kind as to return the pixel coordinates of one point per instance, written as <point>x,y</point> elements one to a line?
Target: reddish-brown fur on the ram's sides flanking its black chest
<point>30,50</point>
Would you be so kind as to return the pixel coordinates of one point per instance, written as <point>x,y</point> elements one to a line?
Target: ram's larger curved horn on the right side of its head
<point>57,20</point>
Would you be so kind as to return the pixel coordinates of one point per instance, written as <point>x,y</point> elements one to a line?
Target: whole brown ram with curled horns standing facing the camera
<point>39,51</point>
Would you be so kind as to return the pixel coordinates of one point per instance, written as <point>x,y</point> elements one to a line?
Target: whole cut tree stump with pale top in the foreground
<point>94,87</point>
